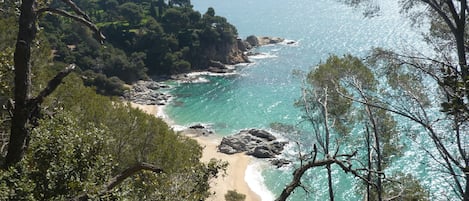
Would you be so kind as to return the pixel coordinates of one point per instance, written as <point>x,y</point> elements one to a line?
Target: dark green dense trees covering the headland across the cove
<point>143,38</point>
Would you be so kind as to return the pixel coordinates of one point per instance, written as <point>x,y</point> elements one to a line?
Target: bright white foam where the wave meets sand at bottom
<point>255,181</point>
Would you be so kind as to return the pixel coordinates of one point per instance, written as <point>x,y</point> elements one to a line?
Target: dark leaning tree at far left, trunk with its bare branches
<point>26,108</point>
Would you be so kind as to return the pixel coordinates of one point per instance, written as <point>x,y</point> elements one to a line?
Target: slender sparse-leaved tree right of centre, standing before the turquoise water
<point>327,100</point>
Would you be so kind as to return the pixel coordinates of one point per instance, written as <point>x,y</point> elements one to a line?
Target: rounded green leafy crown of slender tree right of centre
<point>335,81</point>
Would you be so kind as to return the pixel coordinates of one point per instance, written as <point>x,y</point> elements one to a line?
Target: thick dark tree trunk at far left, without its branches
<point>20,130</point>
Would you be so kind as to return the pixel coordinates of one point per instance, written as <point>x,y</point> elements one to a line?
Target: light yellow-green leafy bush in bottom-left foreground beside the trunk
<point>66,159</point>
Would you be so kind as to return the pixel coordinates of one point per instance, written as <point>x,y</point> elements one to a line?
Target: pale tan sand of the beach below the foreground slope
<point>238,163</point>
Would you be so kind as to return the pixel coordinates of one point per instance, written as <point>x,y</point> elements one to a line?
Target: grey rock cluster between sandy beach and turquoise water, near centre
<point>258,143</point>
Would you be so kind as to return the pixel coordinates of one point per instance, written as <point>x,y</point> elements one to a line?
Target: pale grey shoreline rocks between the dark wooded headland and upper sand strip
<point>147,93</point>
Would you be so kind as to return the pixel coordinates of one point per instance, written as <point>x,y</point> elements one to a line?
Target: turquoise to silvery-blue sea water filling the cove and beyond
<point>264,91</point>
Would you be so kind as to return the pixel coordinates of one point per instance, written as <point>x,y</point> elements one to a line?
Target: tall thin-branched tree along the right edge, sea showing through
<point>448,69</point>
